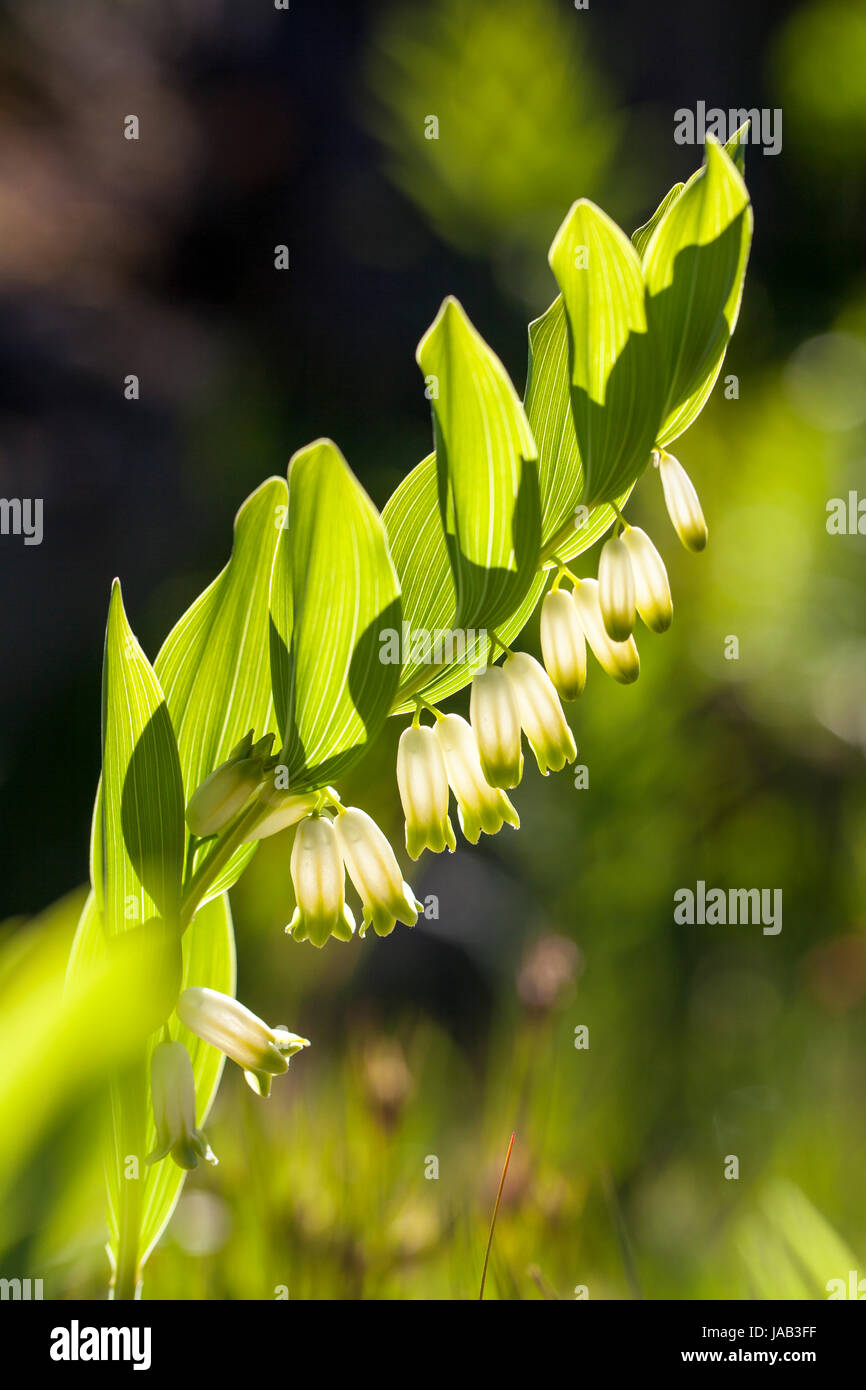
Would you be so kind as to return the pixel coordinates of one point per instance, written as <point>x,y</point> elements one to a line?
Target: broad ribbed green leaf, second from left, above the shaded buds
<point>215,664</point>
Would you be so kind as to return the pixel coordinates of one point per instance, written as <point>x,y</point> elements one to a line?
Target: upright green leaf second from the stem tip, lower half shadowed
<point>616,386</point>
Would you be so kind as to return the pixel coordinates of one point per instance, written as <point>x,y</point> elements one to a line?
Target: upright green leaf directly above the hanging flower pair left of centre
<point>334,597</point>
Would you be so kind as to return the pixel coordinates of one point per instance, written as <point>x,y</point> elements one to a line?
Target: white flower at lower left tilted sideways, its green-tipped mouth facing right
<point>226,1024</point>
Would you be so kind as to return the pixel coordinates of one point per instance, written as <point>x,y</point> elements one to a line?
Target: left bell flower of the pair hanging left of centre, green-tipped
<point>319,881</point>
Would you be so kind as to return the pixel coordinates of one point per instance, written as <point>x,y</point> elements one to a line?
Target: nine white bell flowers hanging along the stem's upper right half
<point>479,761</point>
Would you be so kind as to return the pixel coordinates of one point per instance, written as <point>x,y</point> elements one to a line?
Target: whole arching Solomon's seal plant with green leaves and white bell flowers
<point>332,618</point>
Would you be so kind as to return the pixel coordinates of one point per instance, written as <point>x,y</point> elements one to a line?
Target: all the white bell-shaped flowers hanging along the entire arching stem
<point>479,761</point>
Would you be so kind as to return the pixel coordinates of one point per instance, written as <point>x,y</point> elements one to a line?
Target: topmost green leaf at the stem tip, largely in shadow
<point>696,268</point>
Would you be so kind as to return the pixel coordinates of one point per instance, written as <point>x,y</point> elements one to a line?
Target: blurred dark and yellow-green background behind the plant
<point>439,1043</point>
